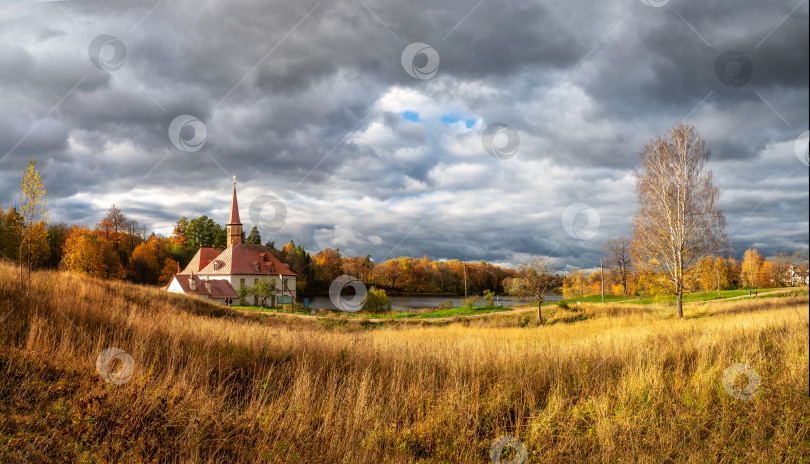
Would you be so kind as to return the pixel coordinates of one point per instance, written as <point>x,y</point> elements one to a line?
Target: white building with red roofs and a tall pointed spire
<point>216,275</point>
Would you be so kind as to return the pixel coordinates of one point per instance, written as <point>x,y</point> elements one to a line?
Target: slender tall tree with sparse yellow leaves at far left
<point>34,215</point>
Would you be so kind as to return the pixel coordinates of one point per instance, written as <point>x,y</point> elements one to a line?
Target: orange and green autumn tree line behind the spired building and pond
<point>119,248</point>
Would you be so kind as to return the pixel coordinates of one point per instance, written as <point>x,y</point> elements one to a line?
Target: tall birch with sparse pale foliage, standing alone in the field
<point>678,220</point>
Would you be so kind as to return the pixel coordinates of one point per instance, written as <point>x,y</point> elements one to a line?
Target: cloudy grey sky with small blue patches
<point>469,129</point>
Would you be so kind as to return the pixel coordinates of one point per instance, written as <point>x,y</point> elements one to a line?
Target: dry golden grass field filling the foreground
<point>212,385</point>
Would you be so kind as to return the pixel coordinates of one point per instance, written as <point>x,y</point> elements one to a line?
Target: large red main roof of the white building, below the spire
<point>242,258</point>
